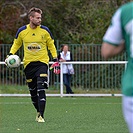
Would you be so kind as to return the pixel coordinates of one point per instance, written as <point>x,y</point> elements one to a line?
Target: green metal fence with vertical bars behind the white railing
<point>88,77</point>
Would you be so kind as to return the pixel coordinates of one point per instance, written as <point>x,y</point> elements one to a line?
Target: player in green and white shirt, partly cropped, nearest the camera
<point>119,37</point>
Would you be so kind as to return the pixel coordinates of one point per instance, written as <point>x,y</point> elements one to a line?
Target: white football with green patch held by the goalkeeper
<point>13,61</point>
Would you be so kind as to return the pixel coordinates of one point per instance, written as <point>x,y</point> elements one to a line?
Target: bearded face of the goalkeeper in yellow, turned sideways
<point>36,19</point>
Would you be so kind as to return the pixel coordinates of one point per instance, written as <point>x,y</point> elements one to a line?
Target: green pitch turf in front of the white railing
<point>63,115</point>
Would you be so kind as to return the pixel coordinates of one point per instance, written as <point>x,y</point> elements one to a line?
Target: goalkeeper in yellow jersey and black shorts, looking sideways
<point>35,38</point>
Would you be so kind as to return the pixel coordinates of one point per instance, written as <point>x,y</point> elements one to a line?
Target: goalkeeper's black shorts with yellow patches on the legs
<point>35,70</point>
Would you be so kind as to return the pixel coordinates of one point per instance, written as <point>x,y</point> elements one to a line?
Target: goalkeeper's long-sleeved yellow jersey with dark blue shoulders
<point>35,42</point>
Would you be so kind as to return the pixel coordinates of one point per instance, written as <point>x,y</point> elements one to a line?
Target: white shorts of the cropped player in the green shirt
<point>127,106</point>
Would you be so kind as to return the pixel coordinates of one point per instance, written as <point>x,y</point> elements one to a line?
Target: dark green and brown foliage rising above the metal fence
<point>70,21</point>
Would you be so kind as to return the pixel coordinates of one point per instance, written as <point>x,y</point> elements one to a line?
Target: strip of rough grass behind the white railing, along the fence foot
<point>23,89</point>
